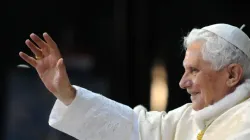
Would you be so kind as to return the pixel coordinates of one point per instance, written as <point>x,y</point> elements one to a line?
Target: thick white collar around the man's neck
<point>205,116</point>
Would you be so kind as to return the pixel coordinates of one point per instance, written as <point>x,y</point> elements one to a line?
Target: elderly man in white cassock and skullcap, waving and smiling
<point>217,68</point>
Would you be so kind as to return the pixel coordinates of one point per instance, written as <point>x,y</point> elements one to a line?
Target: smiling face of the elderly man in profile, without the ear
<point>205,85</point>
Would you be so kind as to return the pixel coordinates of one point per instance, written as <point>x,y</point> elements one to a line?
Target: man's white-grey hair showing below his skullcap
<point>218,51</point>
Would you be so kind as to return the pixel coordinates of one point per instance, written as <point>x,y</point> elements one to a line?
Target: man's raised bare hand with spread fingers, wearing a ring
<point>49,65</point>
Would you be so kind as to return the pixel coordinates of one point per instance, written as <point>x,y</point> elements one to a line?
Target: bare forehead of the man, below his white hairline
<point>193,55</point>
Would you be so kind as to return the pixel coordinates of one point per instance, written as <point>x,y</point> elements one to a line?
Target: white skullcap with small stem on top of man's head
<point>232,34</point>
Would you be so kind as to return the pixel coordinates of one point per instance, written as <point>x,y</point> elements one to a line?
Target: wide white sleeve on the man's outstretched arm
<point>92,116</point>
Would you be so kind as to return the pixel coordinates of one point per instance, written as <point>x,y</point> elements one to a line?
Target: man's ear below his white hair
<point>235,73</point>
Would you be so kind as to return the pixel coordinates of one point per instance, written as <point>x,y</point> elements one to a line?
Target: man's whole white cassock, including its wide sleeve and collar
<point>92,116</point>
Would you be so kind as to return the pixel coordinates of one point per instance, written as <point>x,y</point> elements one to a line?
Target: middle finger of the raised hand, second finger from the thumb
<point>43,45</point>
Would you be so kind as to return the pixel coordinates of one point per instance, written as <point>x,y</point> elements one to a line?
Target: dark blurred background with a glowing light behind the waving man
<point>128,50</point>
